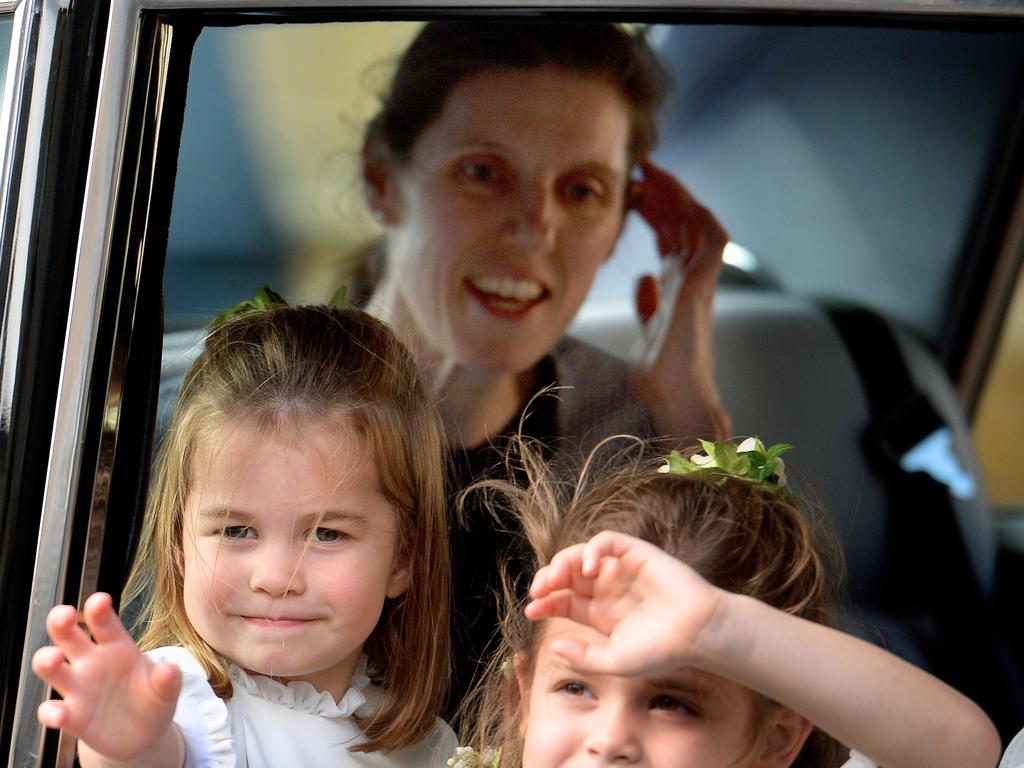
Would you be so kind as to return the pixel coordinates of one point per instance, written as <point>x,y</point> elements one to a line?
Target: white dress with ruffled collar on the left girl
<point>269,724</point>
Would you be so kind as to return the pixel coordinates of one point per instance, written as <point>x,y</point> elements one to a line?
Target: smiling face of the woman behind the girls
<point>511,200</point>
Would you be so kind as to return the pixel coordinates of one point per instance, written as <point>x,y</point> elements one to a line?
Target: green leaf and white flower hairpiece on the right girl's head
<point>749,461</point>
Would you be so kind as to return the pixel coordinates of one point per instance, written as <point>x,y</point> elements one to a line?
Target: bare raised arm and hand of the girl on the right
<point>659,615</point>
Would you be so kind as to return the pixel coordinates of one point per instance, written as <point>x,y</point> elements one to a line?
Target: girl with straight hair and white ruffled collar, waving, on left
<point>294,561</point>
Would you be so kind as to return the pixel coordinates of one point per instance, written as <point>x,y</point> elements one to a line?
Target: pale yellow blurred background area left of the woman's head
<point>305,94</point>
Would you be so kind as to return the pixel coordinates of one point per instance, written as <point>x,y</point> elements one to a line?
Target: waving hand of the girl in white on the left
<point>115,700</point>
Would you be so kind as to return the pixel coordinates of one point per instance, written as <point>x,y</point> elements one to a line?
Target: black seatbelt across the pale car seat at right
<point>929,567</point>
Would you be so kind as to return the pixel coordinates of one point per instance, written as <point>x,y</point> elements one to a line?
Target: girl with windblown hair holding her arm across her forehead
<point>681,619</point>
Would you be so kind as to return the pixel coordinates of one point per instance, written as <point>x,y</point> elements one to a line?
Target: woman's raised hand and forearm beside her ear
<point>675,375</point>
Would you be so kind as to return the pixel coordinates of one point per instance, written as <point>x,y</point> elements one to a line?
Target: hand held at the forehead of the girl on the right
<point>652,608</point>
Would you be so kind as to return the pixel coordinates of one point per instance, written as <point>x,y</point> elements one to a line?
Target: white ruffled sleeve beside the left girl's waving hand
<point>201,715</point>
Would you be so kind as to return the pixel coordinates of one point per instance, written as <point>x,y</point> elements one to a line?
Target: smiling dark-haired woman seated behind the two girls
<point>502,166</point>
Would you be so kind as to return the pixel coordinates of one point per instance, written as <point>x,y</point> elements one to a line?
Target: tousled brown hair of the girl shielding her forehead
<point>739,536</point>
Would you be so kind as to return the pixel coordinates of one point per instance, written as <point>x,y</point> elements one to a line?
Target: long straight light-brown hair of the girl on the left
<point>283,367</point>
